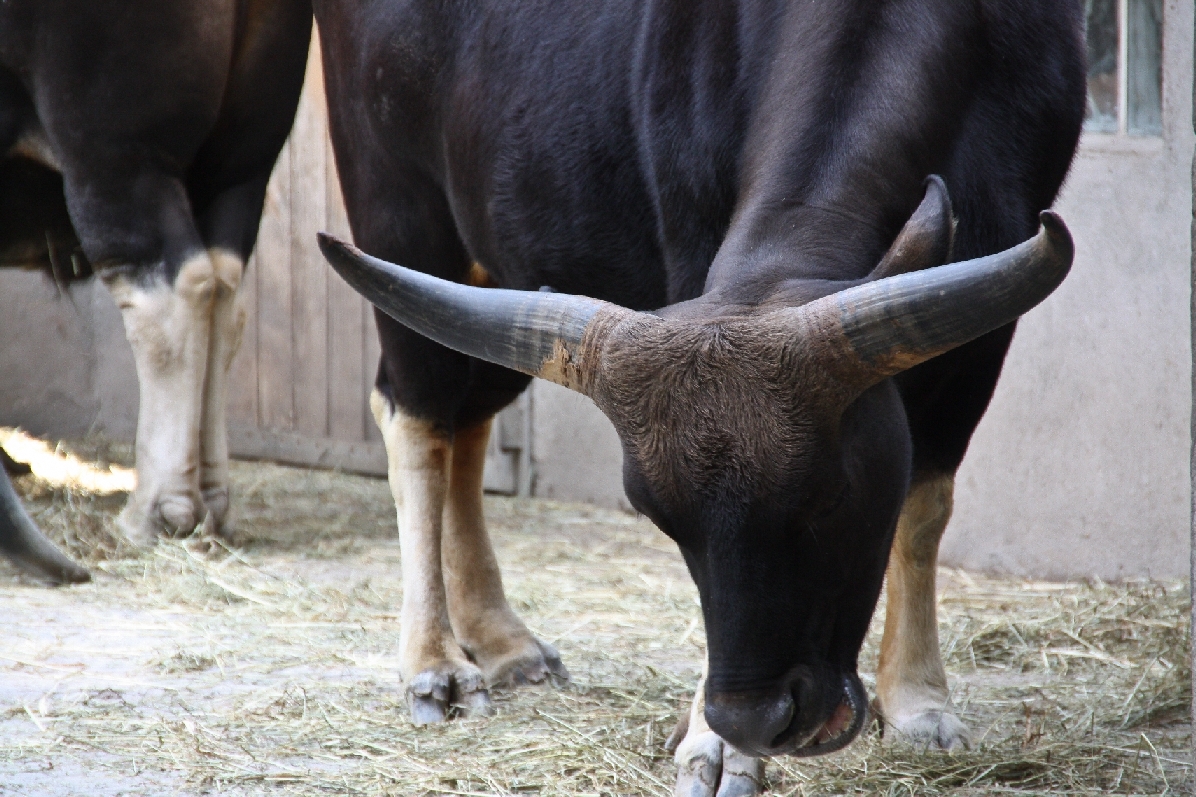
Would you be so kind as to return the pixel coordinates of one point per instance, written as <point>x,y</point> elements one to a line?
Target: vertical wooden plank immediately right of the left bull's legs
<point>276,381</point>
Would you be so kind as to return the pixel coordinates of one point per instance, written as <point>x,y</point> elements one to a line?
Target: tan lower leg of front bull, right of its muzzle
<point>912,683</point>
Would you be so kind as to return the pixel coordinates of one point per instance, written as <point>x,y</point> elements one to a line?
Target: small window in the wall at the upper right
<point>1125,66</point>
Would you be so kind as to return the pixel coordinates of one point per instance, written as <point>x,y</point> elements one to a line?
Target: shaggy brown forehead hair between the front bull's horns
<point>737,405</point>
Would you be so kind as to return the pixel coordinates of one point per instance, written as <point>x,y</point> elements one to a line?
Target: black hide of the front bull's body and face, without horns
<point>710,159</point>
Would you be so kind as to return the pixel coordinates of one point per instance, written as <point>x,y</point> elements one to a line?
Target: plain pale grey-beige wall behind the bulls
<point>1081,467</point>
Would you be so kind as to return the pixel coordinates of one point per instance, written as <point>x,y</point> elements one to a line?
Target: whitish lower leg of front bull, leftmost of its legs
<point>437,672</point>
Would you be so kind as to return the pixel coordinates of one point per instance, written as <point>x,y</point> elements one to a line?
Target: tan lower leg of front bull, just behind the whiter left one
<point>483,620</point>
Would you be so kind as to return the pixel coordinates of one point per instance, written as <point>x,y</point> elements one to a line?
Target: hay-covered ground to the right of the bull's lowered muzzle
<point>1069,689</point>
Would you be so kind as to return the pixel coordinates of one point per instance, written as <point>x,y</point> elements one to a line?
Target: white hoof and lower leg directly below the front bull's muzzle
<point>706,765</point>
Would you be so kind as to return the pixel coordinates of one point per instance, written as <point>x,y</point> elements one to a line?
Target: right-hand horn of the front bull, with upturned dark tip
<point>878,330</point>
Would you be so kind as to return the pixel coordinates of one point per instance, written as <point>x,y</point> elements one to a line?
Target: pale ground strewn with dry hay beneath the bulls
<point>272,670</point>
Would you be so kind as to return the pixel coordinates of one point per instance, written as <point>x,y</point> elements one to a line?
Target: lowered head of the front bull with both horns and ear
<point>770,442</point>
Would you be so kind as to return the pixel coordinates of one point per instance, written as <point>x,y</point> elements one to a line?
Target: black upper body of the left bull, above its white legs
<point>157,126</point>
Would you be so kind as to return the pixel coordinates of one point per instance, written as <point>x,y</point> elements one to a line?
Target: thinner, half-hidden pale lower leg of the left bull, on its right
<point>228,326</point>
